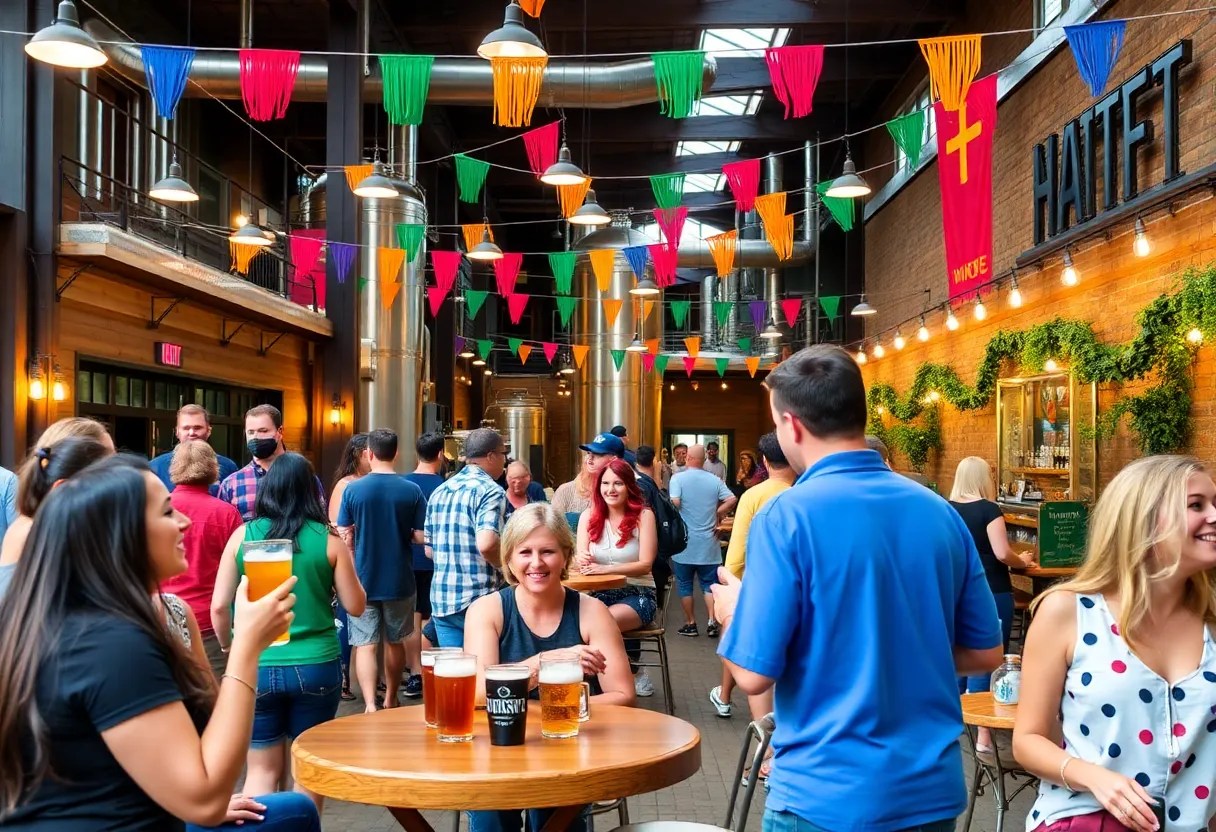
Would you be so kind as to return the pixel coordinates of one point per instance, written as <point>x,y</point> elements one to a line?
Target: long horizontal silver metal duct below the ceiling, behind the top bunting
<point>568,83</point>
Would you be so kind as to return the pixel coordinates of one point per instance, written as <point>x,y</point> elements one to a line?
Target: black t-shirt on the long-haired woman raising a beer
<point>104,672</point>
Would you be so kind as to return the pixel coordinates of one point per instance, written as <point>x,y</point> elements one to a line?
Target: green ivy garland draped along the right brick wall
<point>1162,350</point>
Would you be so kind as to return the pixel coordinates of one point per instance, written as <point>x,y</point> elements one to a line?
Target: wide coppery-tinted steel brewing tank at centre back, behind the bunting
<point>605,397</point>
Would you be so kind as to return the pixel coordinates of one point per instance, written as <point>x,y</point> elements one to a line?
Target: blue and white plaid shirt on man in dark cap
<point>457,511</point>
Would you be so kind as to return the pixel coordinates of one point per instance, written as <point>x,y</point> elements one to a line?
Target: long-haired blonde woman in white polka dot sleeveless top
<point>1118,706</point>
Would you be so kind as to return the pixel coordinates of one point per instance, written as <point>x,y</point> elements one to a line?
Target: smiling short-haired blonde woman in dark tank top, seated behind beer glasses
<point>534,617</point>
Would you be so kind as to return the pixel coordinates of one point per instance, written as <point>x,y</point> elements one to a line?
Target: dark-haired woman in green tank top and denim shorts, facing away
<point>299,682</point>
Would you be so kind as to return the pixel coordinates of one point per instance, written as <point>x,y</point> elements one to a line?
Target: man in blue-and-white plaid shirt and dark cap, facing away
<point>464,519</point>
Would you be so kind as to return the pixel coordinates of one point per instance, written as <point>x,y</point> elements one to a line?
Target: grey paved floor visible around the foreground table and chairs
<point>703,799</point>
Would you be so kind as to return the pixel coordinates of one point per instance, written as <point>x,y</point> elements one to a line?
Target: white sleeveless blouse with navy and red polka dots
<point>1119,715</point>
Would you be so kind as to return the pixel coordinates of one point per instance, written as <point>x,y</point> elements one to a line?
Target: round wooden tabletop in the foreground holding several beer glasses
<point>392,760</point>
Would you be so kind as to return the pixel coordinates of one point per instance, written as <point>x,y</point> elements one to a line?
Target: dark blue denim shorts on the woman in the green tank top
<point>294,699</point>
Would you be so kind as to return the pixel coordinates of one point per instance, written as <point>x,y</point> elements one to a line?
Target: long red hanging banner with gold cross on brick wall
<point>965,166</point>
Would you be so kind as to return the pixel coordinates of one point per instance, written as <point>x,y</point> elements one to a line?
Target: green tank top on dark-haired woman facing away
<point>314,636</point>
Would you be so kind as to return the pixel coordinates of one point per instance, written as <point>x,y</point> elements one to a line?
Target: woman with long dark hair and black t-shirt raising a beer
<point>106,719</point>
